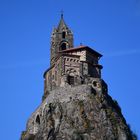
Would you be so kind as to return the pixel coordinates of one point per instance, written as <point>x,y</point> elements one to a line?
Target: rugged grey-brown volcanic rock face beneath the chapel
<point>77,113</point>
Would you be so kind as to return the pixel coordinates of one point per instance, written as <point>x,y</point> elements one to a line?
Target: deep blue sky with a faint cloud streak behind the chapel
<point>111,27</point>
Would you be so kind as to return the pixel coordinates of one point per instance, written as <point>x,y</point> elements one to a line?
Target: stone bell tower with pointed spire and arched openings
<point>61,39</point>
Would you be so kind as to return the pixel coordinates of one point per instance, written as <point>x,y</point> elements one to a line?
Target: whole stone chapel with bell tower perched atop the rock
<point>69,65</point>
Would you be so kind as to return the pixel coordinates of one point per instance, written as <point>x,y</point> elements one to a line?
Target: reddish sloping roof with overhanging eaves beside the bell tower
<point>82,48</point>
